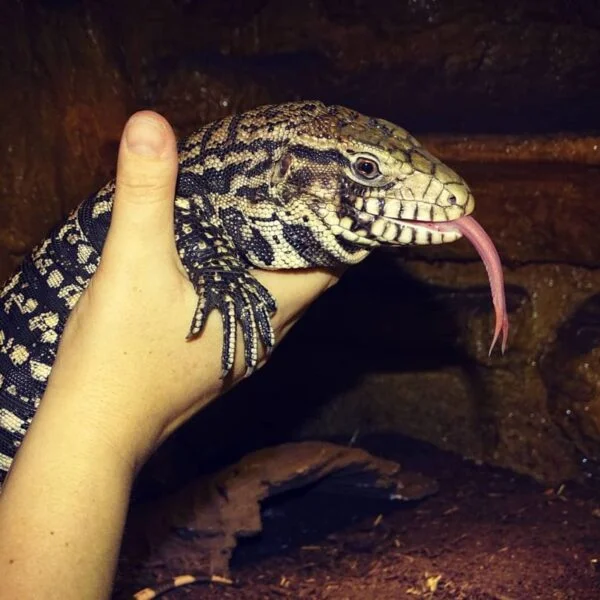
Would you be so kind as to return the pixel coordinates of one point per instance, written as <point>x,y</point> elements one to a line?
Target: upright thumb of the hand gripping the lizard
<point>142,216</point>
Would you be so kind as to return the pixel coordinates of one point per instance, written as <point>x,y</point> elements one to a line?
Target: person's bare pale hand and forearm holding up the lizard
<point>125,378</point>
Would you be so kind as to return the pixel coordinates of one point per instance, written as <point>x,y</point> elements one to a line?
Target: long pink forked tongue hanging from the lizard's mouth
<point>475,233</point>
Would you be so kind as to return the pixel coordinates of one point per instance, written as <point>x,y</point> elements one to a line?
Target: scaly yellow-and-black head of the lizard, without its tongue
<point>370,182</point>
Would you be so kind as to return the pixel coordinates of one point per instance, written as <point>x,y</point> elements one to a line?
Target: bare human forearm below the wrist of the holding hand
<point>62,510</point>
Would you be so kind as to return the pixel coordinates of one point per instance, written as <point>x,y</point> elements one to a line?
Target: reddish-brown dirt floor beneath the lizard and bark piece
<point>488,534</point>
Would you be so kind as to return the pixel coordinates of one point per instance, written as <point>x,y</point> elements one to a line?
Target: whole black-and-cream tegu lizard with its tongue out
<point>286,186</point>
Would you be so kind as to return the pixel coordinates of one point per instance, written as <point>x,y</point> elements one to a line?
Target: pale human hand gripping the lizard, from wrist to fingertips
<point>124,348</point>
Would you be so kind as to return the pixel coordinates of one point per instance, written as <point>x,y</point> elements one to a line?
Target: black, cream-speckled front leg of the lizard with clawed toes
<point>222,282</point>
